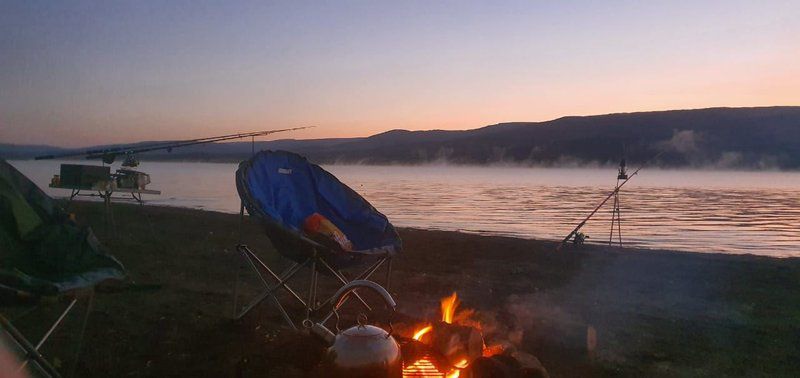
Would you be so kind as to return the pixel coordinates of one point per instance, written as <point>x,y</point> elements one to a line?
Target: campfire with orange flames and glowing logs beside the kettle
<point>446,347</point>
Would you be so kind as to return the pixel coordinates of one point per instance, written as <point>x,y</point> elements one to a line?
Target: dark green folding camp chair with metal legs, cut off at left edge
<point>43,253</point>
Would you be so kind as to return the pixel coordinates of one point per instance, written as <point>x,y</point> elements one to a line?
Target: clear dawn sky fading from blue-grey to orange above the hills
<point>76,73</point>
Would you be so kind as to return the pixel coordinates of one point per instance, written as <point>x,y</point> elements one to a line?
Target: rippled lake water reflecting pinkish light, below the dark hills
<point>702,211</point>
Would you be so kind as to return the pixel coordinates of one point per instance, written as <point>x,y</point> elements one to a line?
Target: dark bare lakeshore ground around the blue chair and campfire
<point>655,313</point>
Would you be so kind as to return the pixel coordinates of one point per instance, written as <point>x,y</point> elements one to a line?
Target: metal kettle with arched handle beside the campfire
<point>363,350</point>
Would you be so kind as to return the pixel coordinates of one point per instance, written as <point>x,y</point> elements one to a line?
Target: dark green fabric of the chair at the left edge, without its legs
<point>42,251</point>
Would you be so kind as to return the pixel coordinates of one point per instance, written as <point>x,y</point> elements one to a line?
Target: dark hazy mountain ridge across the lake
<point>755,138</point>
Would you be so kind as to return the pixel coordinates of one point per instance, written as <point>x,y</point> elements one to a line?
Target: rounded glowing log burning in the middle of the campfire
<point>459,344</point>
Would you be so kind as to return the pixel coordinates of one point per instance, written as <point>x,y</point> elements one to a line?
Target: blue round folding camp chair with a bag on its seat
<point>281,190</point>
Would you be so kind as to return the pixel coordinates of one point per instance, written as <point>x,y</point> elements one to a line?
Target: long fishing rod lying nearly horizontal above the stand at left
<point>111,153</point>
